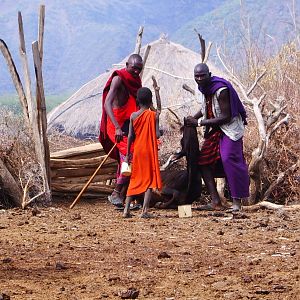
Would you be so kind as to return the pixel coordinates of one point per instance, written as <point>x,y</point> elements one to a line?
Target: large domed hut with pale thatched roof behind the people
<point>170,63</point>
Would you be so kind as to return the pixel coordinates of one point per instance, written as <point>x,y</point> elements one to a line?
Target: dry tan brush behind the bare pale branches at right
<point>281,80</point>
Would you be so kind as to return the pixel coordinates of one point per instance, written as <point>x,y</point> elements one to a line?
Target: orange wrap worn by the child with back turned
<point>145,165</point>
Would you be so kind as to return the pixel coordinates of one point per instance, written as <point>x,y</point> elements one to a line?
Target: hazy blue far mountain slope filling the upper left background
<point>83,38</point>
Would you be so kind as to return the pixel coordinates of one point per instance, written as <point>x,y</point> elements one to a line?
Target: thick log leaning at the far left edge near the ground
<point>10,186</point>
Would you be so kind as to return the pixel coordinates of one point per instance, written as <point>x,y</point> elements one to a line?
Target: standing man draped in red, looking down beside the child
<point>118,103</point>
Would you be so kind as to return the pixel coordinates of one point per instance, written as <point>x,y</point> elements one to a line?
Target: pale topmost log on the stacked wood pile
<point>85,151</point>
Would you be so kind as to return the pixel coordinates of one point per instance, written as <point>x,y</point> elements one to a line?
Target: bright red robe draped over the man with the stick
<point>122,114</point>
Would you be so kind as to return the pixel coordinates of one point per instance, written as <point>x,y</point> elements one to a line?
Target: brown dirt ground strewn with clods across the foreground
<point>91,252</point>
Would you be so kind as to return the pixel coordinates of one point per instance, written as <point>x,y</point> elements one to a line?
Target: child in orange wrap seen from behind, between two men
<point>144,131</point>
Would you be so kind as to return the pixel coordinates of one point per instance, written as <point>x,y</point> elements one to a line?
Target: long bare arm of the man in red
<point>112,93</point>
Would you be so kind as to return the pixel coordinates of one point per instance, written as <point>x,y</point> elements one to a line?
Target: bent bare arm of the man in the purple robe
<point>225,116</point>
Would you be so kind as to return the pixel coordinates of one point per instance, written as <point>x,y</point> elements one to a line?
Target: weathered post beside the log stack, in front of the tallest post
<point>40,86</point>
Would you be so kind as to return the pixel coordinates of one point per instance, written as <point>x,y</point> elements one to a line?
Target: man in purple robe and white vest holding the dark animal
<point>224,118</point>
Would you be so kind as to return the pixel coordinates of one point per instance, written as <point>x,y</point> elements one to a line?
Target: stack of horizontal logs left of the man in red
<point>72,168</point>
